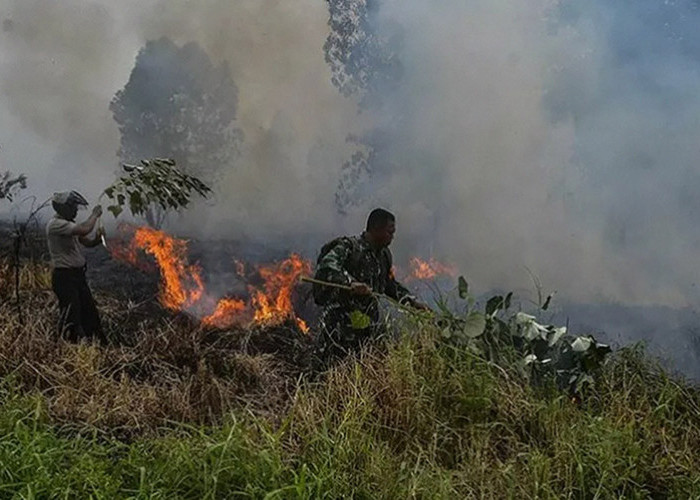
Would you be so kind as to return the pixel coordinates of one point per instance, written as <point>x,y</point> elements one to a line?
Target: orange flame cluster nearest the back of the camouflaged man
<point>274,301</point>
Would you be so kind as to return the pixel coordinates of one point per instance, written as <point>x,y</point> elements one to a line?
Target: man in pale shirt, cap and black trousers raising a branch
<point>79,316</point>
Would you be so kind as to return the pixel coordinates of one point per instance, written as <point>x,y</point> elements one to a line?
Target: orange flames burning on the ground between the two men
<point>182,286</point>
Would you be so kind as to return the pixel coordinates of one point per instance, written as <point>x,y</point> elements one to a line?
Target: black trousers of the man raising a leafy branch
<point>78,313</point>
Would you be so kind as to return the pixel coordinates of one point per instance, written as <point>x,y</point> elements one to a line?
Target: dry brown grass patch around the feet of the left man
<point>171,371</point>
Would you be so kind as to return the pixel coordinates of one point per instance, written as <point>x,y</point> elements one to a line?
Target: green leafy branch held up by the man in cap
<point>156,182</point>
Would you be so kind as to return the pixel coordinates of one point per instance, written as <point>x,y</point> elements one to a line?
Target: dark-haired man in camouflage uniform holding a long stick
<point>363,263</point>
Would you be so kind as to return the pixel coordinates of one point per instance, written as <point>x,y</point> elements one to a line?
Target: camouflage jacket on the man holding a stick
<point>353,259</point>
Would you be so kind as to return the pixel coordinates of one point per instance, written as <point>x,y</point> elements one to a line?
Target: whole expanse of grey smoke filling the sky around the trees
<point>557,137</point>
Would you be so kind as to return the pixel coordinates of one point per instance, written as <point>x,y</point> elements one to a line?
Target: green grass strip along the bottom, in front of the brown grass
<point>421,420</point>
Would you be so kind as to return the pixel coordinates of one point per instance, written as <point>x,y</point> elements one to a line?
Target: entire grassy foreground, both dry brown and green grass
<point>183,411</point>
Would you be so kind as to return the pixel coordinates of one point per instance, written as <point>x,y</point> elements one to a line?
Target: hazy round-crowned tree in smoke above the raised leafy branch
<point>178,104</point>
